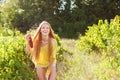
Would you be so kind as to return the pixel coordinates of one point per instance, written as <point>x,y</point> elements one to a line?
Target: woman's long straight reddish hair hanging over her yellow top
<point>37,40</point>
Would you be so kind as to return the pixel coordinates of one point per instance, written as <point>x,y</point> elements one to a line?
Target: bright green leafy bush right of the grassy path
<point>102,37</point>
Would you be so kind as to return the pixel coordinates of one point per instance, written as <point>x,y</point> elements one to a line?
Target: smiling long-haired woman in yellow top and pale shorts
<point>43,52</point>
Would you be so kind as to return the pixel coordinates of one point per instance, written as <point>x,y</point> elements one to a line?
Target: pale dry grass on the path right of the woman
<point>81,66</point>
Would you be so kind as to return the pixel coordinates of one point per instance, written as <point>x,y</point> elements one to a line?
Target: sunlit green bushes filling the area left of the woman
<point>14,63</point>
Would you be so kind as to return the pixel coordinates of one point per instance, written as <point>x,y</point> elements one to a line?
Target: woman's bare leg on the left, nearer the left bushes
<point>41,72</point>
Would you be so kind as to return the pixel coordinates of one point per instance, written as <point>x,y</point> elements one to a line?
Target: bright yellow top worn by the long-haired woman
<point>44,59</point>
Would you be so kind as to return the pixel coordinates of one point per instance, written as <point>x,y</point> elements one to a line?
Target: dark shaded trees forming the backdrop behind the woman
<point>65,16</point>
